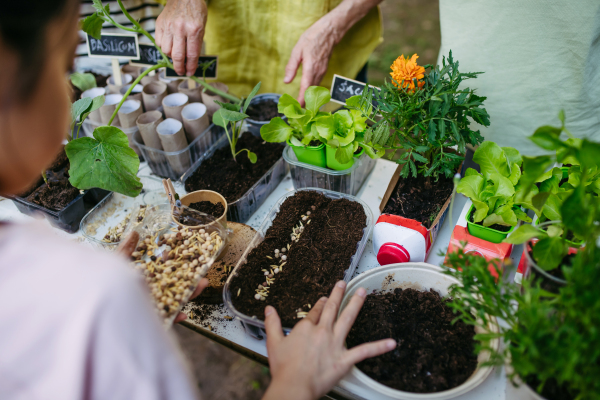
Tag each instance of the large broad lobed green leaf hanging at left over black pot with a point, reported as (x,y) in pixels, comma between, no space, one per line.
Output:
(105,161)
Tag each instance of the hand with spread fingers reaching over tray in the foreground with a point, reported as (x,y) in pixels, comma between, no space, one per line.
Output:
(312,358)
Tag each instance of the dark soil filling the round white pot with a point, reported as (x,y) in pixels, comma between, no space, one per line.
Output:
(432,353)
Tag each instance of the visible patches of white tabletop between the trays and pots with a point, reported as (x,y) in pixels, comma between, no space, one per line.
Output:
(494,387)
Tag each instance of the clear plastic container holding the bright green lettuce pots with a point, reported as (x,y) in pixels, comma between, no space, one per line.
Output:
(347,181)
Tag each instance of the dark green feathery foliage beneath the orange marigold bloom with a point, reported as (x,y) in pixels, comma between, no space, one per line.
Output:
(426,120)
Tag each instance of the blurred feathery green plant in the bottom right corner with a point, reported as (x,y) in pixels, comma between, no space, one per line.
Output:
(550,339)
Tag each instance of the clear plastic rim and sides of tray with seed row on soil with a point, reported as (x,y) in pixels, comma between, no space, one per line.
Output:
(253,325)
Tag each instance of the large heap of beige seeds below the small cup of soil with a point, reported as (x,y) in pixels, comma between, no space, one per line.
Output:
(173,264)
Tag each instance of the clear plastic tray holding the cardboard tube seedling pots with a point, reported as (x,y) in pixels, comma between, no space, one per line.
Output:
(158,159)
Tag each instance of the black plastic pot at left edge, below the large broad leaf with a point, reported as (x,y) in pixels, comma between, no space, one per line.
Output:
(68,218)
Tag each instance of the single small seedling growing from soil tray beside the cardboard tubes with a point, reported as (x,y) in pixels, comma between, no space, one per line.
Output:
(228,115)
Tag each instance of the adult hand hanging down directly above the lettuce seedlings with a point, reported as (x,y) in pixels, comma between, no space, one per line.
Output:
(312,50)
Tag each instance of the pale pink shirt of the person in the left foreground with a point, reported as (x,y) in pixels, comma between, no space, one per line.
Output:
(78,324)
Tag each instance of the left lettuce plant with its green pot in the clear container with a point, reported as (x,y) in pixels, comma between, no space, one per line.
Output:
(300,132)
